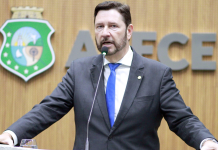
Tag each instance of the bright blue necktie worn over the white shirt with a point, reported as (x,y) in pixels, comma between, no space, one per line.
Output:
(110,92)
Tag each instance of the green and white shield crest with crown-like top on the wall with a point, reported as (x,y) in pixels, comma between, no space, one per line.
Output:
(26,50)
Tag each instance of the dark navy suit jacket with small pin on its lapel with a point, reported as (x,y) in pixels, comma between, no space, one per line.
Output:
(146,101)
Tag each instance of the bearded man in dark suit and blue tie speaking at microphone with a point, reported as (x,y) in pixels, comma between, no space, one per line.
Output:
(144,94)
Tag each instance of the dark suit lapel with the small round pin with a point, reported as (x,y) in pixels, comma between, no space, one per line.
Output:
(134,81)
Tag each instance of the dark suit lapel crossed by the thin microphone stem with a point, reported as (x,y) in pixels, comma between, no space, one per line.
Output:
(100,97)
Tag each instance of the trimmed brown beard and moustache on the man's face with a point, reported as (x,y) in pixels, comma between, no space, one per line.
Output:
(118,46)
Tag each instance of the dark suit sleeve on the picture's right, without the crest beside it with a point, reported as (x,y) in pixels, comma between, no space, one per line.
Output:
(178,116)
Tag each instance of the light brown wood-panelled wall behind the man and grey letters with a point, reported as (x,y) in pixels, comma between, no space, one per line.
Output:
(198,88)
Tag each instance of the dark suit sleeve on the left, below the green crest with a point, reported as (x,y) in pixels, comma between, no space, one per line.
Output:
(50,109)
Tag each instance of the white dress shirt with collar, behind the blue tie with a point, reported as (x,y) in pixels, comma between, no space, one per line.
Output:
(122,74)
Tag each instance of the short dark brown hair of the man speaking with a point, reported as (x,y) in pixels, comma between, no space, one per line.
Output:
(123,9)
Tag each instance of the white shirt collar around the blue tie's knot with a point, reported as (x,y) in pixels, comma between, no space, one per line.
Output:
(126,60)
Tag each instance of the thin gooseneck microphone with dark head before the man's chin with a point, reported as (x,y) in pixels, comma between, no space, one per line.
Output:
(104,51)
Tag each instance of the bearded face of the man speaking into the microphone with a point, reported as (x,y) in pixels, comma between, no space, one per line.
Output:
(110,31)
